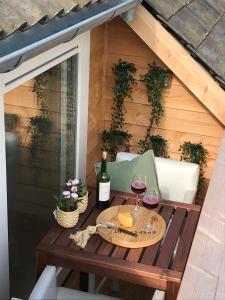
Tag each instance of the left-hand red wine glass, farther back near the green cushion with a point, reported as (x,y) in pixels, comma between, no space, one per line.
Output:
(138,186)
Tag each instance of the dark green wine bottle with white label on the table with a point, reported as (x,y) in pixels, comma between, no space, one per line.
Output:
(103,185)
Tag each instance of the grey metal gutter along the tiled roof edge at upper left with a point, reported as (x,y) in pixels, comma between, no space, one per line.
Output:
(21,46)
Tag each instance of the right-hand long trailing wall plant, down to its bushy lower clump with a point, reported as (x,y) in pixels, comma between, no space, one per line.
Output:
(155,80)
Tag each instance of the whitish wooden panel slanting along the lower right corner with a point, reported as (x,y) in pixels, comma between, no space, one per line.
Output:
(205,270)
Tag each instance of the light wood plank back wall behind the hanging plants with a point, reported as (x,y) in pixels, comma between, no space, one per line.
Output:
(185,118)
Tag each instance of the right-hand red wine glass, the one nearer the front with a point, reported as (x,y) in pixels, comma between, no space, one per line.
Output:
(151,199)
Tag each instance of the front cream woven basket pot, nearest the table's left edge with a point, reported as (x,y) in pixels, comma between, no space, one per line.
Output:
(67,219)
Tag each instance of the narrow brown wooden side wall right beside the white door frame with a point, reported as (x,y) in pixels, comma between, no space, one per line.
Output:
(96,110)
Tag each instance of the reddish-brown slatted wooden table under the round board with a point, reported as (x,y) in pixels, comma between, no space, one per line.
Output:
(157,266)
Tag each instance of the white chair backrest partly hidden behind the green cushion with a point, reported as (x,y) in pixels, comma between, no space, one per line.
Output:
(178,180)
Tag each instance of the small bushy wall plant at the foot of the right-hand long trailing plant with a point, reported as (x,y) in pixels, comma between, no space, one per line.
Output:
(157,143)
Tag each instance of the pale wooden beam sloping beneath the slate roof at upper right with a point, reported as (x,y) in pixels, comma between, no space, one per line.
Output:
(178,59)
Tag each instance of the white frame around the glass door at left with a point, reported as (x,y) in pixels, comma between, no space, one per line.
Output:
(79,46)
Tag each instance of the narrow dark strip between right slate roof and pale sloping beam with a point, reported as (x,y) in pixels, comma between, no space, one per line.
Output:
(191,50)
